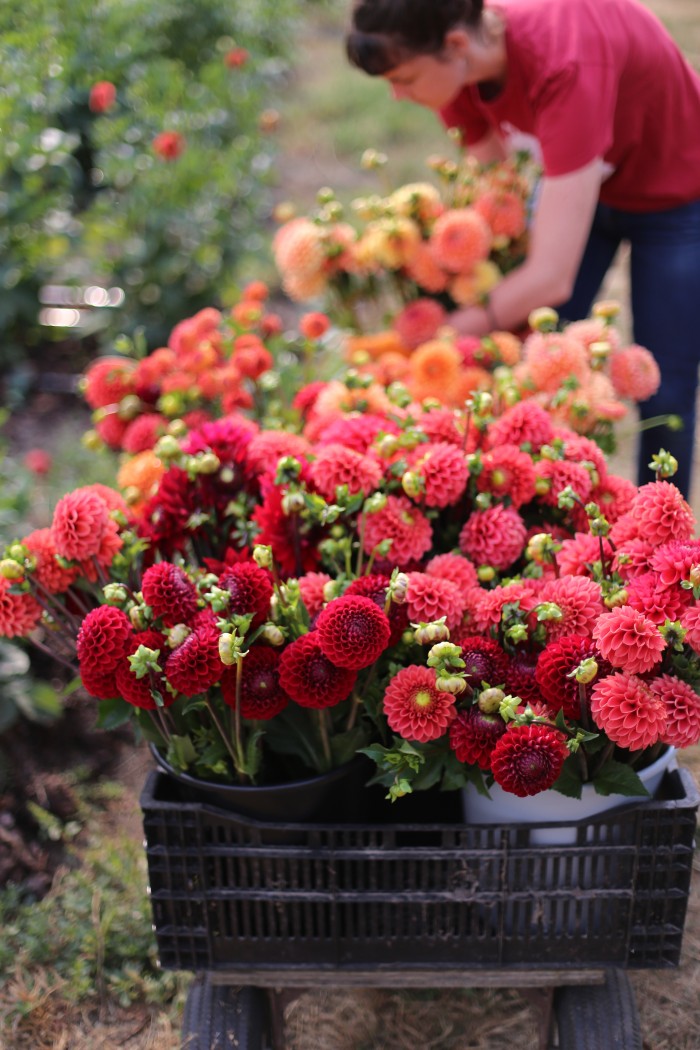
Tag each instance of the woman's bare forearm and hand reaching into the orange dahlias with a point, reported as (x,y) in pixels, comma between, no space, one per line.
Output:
(560,233)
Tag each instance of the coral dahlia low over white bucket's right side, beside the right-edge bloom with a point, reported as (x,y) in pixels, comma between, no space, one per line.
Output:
(627,710)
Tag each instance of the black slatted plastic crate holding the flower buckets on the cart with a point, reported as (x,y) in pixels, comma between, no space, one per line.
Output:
(229,893)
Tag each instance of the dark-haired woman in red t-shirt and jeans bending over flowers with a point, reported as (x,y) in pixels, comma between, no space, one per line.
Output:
(616,109)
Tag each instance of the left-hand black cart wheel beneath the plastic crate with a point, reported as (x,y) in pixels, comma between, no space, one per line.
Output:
(224,1018)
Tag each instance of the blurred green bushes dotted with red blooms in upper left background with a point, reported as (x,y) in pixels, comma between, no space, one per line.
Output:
(154,182)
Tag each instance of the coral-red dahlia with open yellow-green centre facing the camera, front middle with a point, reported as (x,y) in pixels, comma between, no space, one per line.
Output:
(414,706)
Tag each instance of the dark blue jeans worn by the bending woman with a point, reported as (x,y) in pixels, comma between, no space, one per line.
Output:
(666,310)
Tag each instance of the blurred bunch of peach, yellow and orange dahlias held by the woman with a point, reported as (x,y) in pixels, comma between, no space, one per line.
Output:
(451,240)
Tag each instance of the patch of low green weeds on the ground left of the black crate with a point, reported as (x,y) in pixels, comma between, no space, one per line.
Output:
(92,935)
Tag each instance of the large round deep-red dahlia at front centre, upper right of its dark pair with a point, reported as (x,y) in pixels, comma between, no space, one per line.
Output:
(353,632)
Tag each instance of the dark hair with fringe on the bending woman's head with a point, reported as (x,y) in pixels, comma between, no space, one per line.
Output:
(386,33)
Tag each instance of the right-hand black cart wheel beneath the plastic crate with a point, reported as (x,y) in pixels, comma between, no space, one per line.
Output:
(599,1017)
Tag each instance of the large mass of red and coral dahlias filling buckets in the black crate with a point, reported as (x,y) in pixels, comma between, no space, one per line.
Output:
(466,596)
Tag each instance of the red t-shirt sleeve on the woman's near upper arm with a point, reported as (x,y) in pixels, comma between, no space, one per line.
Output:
(575,117)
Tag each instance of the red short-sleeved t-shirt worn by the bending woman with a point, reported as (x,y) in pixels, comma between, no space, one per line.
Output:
(597,78)
